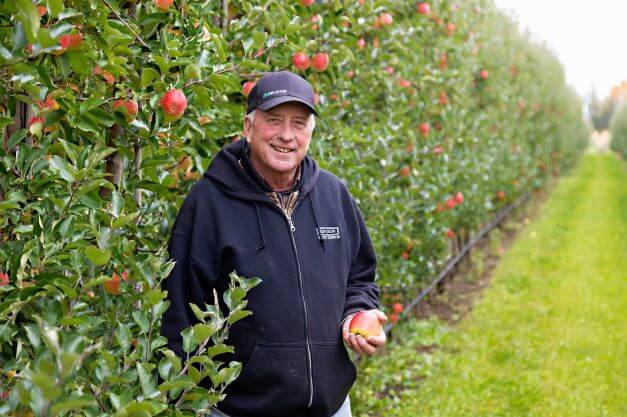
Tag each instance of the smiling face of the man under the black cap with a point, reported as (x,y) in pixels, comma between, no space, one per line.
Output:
(278,138)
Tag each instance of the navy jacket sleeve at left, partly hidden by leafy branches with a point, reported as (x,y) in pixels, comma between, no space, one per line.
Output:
(189,280)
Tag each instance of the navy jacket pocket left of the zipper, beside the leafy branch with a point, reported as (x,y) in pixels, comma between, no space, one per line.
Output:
(273,381)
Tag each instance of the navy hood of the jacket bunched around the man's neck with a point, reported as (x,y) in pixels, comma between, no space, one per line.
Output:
(228,170)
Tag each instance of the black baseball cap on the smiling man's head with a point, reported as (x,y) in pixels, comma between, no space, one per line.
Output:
(276,88)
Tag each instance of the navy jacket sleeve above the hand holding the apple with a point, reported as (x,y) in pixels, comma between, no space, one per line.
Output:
(361,292)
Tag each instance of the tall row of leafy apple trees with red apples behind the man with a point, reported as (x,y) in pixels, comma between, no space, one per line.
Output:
(413,110)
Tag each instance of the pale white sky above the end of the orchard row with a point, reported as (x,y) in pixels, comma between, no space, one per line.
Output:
(589,38)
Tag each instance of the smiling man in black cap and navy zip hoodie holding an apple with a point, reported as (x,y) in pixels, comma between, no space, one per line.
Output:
(265,209)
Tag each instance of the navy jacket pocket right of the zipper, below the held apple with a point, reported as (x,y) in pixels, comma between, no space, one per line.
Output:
(334,375)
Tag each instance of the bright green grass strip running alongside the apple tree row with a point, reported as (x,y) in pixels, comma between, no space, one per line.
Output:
(548,338)
